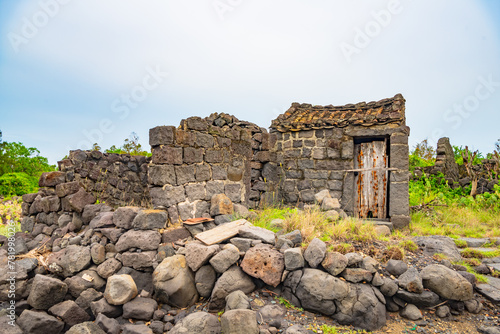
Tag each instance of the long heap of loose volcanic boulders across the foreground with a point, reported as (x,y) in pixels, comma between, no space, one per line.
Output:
(130,265)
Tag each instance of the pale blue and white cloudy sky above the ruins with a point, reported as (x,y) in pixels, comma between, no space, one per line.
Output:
(76,72)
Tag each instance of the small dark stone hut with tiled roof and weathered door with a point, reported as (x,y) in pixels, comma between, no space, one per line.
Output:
(357,151)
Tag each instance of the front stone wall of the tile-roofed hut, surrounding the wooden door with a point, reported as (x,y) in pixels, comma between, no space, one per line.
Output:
(313,160)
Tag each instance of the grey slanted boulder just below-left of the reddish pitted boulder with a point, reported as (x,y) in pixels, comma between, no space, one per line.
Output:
(232,280)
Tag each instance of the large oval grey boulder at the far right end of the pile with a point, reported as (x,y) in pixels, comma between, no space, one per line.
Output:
(446,283)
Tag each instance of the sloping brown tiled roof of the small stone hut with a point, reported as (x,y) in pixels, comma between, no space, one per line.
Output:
(306,116)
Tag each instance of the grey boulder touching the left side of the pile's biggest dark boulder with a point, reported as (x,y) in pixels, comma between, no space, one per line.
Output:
(318,291)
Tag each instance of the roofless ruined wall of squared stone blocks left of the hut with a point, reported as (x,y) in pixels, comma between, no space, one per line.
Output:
(204,157)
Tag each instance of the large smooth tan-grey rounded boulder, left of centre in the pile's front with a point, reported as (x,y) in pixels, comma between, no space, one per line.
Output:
(174,282)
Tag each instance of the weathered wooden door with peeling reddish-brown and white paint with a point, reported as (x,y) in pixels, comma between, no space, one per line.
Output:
(371,165)
